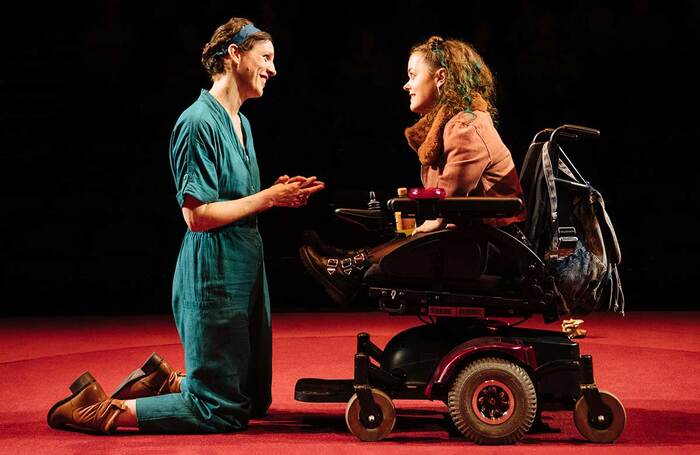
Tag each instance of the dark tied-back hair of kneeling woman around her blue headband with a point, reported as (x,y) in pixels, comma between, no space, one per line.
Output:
(213,59)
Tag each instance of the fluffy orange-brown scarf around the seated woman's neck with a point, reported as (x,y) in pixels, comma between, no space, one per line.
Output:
(426,138)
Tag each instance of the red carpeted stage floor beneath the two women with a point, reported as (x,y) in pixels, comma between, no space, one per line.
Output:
(650,360)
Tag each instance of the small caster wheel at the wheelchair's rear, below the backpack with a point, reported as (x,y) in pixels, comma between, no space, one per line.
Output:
(603,428)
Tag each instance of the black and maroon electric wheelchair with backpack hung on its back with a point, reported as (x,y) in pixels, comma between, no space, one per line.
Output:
(495,378)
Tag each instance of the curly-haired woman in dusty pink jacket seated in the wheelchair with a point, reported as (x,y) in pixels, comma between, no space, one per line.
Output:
(457,145)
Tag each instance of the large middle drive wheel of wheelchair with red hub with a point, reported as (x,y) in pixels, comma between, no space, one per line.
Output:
(493,401)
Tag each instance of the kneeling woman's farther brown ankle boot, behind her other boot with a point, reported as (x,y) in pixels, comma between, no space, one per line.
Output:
(155,377)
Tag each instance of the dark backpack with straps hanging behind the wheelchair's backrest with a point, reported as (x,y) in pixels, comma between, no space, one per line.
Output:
(569,227)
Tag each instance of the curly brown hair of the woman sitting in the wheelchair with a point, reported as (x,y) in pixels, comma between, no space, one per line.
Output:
(469,84)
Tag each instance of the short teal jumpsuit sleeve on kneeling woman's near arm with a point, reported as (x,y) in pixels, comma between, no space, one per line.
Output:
(194,163)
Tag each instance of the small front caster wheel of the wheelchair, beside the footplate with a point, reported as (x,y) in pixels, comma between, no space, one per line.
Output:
(375,427)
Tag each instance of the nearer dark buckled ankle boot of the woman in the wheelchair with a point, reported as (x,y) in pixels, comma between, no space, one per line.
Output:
(341,277)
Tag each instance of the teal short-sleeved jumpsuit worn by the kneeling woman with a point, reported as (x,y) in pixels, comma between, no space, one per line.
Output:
(220,298)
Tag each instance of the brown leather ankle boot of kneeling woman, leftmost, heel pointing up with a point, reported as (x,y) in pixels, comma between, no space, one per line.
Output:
(87,409)
